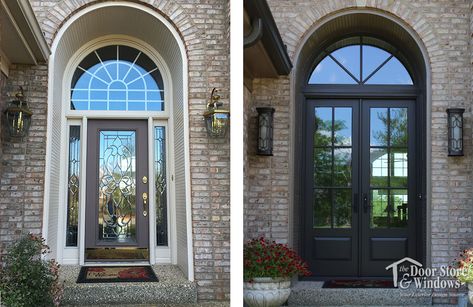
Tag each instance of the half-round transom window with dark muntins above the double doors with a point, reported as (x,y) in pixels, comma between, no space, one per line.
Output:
(360,60)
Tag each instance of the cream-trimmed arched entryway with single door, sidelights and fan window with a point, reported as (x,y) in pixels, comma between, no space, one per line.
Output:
(117,174)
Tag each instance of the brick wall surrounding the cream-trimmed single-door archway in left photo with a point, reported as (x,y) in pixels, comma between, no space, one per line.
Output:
(204,26)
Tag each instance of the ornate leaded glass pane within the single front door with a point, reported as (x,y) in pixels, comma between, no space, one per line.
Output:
(117,186)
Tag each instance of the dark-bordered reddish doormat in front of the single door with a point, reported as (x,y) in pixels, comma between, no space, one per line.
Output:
(98,274)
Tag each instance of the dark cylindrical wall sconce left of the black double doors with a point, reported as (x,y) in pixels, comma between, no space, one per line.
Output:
(265,131)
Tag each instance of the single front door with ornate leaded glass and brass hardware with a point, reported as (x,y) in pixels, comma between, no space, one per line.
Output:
(117,190)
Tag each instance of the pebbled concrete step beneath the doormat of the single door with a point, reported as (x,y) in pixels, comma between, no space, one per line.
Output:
(172,288)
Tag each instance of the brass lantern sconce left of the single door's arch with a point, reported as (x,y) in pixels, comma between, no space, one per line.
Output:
(18,116)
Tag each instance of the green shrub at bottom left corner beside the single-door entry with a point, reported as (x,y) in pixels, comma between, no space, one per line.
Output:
(26,279)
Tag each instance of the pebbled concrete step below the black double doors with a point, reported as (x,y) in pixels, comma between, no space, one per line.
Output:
(311,293)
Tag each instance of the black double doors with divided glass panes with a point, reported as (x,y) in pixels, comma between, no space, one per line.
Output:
(360,187)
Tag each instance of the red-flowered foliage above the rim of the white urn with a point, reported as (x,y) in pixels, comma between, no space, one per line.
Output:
(270,259)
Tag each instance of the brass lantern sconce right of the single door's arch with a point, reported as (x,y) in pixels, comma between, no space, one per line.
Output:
(217,120)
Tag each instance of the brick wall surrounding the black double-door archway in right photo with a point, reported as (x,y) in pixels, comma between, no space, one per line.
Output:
(445,28)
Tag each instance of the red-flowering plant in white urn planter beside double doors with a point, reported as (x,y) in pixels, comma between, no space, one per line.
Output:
(268,269)
